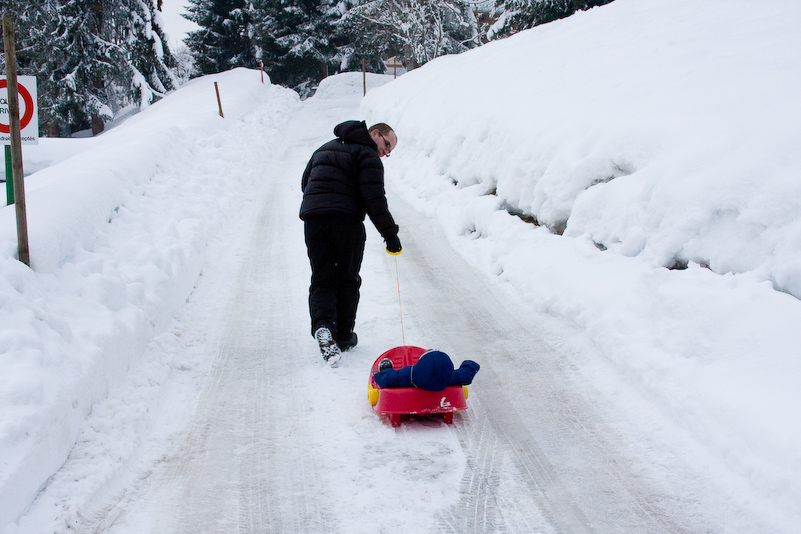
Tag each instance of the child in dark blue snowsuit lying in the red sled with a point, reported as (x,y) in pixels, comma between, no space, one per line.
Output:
(433,372)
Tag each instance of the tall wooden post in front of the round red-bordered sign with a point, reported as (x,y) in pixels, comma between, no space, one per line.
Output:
(16,141)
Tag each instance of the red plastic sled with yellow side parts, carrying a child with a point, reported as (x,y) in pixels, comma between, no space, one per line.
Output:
(404,401)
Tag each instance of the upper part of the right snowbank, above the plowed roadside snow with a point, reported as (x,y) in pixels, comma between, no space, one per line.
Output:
(659,129)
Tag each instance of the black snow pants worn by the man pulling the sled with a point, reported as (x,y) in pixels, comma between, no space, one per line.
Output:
(336,247)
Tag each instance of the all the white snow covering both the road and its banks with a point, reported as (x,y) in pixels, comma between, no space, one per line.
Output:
(612,231)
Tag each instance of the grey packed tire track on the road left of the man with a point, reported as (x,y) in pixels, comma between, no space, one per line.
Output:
(277,487)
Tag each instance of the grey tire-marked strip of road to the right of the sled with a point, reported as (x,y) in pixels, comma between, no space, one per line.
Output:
(538,457)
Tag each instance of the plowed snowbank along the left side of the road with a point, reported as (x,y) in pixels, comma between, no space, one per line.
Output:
(117,238)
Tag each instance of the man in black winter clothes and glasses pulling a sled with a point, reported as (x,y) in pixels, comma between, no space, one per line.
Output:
(343,182)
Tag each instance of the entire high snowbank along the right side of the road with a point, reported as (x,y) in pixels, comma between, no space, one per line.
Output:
(637,137)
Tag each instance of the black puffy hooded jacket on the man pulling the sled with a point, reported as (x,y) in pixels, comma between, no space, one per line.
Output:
(345,177)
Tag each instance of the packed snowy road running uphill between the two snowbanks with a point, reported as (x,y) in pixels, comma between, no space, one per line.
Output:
(264,452)
